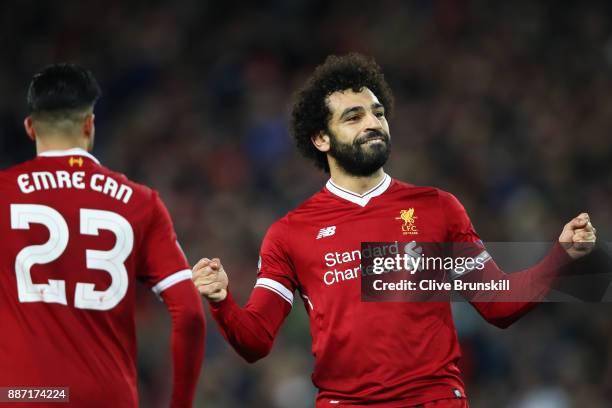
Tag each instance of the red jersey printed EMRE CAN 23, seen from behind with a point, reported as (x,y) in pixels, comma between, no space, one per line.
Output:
(75,237)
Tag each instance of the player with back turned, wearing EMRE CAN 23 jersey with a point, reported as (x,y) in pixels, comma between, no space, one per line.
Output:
(75,238)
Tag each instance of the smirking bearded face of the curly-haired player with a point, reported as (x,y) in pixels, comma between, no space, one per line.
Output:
(359,133)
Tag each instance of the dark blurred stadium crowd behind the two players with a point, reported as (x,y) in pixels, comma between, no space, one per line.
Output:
(505,104)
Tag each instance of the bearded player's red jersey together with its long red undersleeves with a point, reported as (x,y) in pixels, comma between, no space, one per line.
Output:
(386,354)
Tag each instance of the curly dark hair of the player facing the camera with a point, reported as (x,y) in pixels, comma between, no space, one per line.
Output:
(310,114)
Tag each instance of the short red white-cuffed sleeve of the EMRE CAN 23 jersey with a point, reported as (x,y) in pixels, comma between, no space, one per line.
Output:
(162,261)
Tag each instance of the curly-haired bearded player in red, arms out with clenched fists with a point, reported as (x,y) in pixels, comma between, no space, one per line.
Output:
(383,354)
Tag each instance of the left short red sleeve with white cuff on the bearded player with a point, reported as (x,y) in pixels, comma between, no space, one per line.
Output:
(275,268)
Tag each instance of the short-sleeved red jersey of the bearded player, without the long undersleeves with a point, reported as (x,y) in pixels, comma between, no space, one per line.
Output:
(367,351)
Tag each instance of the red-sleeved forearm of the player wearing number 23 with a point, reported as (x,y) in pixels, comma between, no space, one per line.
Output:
(187,341)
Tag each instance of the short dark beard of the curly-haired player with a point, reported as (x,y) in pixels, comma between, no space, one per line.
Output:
(358,160)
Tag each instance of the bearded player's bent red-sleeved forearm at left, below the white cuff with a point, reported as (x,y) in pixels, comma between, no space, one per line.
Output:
(251,330)
